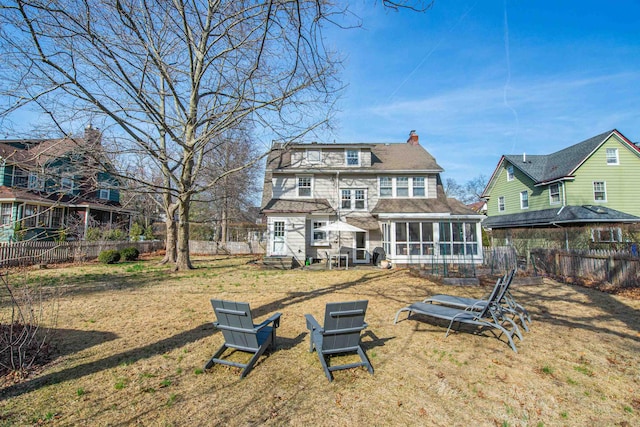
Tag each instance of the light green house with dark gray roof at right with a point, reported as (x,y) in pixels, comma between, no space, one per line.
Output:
(592,182)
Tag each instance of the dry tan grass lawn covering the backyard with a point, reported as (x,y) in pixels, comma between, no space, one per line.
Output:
(132,340)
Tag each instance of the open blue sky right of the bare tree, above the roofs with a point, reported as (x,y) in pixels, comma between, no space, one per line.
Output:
(478,79)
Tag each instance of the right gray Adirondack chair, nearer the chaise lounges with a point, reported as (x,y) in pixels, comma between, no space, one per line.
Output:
(343,322)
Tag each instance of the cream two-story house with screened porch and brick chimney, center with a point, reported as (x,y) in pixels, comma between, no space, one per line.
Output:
(392,193)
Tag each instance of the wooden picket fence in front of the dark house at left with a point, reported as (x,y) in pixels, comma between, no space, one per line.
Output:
(38,252)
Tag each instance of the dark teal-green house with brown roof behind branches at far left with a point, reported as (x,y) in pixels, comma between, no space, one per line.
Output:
(50,188)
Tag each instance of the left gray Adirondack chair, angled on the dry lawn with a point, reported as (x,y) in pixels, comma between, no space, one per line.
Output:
(239,332)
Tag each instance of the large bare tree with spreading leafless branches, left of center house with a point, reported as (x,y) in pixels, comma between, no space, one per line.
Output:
(168,78)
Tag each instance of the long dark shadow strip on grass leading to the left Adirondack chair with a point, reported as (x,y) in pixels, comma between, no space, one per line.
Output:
(130,356)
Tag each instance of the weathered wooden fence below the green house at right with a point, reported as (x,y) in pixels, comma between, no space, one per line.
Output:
(620,269)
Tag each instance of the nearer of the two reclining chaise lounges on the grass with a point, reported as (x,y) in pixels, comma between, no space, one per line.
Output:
(491,316)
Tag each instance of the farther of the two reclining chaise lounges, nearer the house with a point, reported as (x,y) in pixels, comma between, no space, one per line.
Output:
(504,298)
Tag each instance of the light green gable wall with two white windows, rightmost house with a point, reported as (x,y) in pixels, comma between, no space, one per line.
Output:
(622,184)
